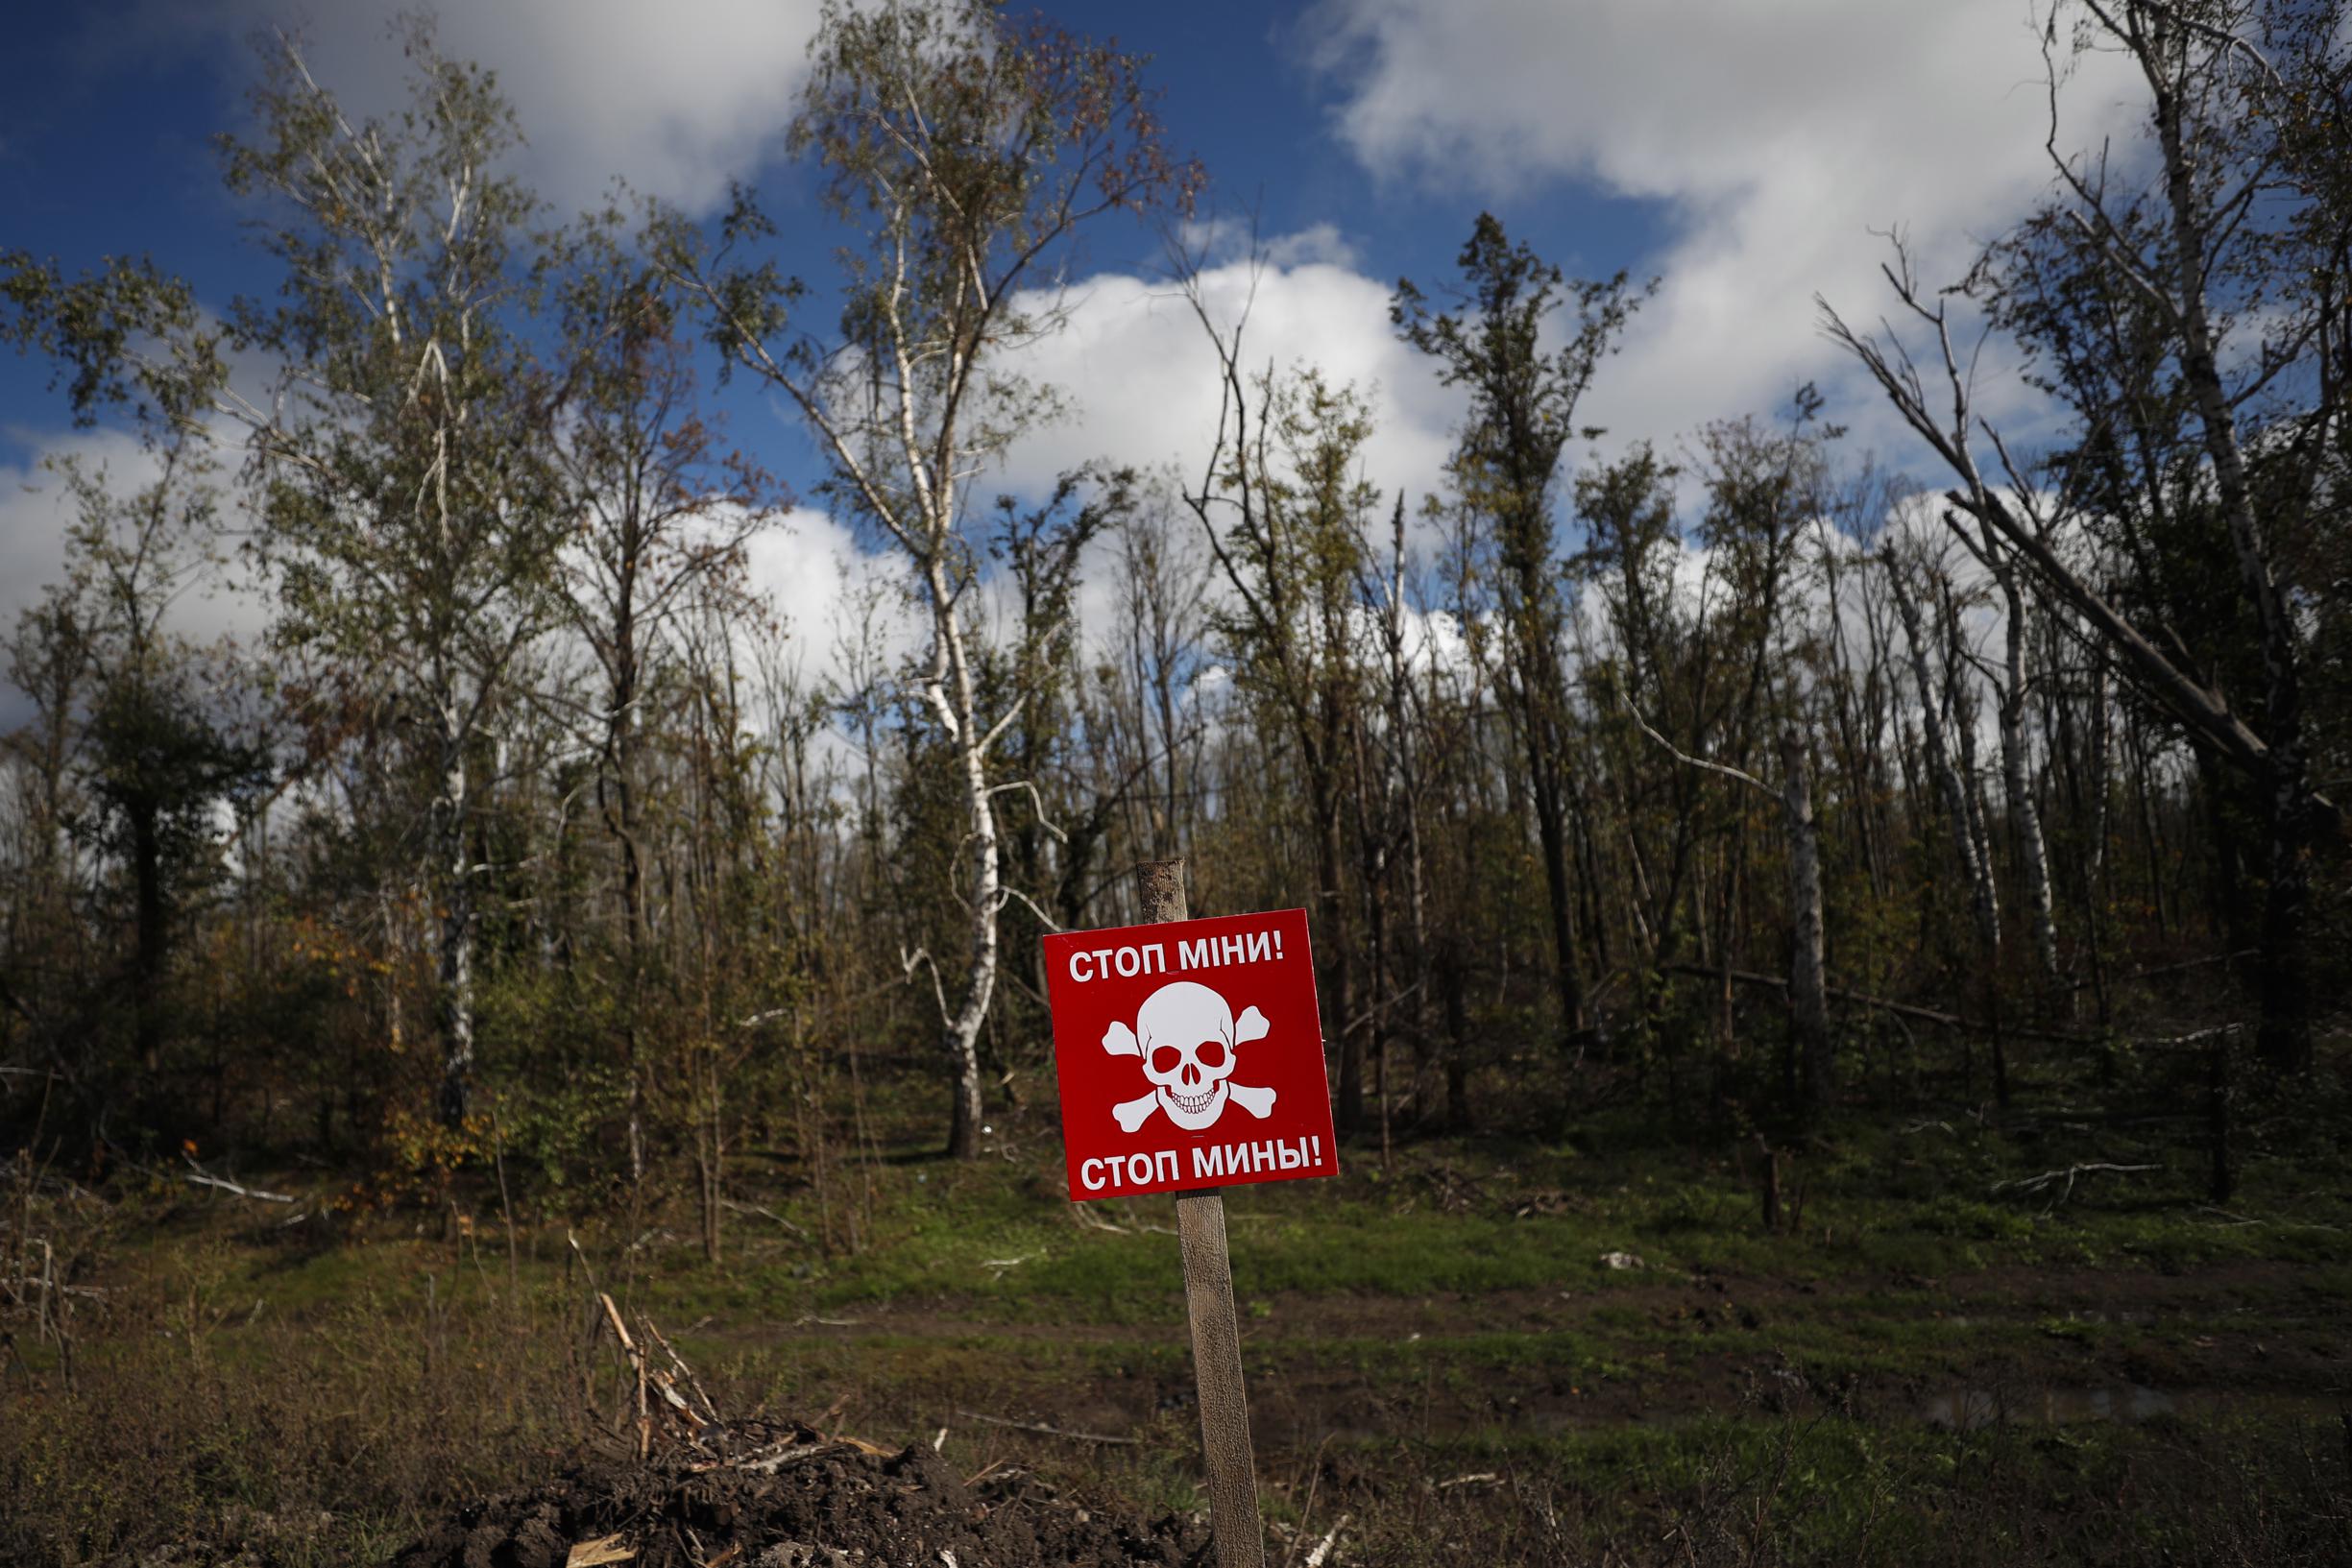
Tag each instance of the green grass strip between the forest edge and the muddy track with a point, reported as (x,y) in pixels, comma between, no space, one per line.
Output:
(1001,1242)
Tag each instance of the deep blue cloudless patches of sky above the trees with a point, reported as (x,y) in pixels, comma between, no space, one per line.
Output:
(107,149)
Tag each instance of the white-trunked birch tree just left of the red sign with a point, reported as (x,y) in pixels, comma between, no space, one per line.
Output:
(965,156)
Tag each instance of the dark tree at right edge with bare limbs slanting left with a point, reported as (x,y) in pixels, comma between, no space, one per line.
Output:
(2224,248)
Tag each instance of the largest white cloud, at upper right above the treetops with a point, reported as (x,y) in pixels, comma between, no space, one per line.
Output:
(1779,138)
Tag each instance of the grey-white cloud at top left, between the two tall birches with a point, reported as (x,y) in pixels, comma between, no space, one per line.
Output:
(674,98)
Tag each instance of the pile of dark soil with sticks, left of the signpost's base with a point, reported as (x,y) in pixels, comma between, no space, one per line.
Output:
(782,1496)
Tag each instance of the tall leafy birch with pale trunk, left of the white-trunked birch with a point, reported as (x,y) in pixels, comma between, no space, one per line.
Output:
(410,514)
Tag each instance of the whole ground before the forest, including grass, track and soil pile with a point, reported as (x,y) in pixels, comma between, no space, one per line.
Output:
(2123,1381)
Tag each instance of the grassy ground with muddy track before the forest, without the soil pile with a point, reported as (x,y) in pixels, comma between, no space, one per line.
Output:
(1920,1365)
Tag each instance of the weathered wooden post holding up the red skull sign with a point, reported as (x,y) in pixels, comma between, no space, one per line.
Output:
(1217,1332)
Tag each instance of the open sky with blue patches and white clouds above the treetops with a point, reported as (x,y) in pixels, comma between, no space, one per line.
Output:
(1739,152)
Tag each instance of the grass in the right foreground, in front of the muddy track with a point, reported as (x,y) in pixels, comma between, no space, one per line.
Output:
(1746,1489)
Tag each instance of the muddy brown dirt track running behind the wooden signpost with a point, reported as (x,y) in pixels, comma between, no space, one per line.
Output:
(2080,1346)
